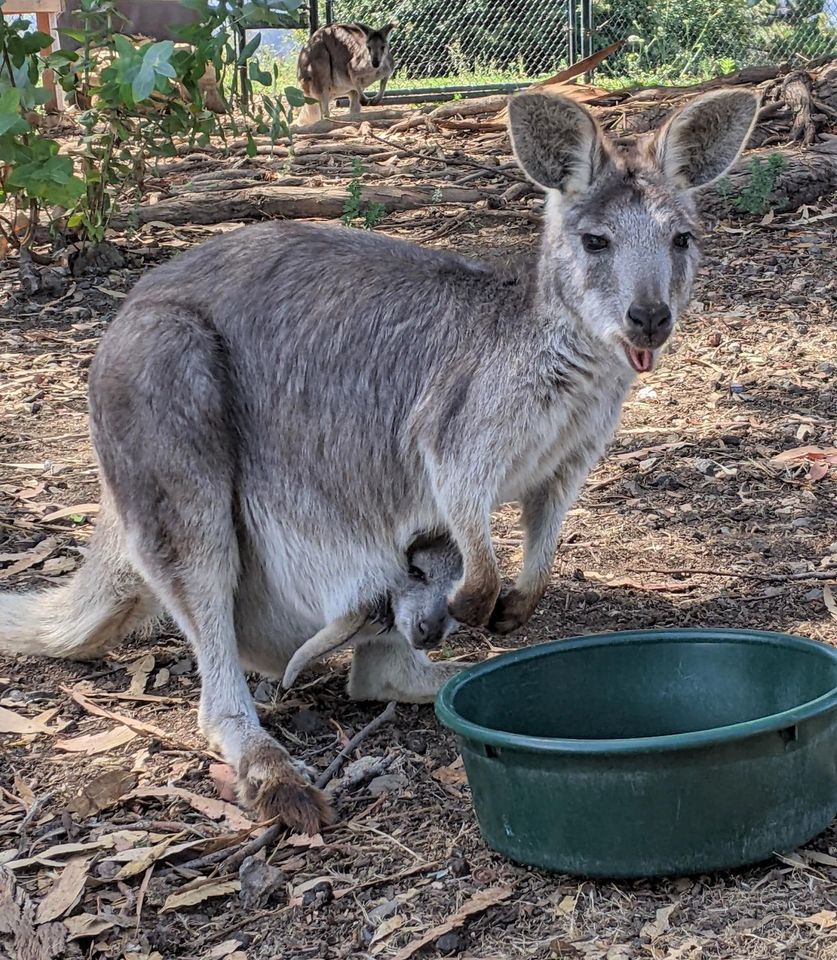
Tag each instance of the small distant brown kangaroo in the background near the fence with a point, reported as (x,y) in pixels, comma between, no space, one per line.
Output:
(340,59)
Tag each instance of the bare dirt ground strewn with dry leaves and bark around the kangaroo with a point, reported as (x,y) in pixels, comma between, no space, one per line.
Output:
(690,520)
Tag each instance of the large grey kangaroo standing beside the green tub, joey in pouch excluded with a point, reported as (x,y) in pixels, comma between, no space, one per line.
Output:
(268,443)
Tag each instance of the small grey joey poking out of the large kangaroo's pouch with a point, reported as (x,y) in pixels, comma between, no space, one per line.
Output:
(418,607)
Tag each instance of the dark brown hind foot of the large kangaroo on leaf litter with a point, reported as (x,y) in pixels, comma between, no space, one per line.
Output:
(270,784)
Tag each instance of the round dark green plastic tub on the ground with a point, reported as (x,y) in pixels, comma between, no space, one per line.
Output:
(650,753)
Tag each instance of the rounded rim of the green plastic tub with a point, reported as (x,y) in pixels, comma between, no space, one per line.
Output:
(710,736)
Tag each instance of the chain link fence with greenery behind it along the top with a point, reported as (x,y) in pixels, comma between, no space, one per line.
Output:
(473,46)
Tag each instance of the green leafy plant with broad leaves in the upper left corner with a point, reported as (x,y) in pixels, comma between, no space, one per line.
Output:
(139,101)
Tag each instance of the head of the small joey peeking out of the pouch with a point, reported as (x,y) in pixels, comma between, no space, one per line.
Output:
(420,605)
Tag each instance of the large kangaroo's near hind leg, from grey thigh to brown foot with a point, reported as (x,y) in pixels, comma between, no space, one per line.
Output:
(165,430)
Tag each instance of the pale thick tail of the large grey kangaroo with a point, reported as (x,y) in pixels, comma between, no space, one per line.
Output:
(101,604)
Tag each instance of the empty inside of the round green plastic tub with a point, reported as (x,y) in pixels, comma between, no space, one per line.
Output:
(644,689)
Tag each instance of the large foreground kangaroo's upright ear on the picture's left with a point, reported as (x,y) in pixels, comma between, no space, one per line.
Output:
(557,143)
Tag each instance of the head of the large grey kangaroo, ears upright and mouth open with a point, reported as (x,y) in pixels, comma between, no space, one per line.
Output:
(621,242)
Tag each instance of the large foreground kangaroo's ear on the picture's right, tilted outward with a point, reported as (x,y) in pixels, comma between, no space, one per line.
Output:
(703,140)
